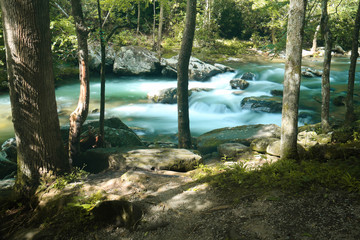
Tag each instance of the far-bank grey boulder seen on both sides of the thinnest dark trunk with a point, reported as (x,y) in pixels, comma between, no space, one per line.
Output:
(95,57)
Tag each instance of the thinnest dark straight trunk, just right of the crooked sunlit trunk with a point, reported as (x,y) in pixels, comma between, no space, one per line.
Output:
(101,139)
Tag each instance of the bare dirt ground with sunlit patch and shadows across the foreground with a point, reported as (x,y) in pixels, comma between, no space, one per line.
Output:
(174,206)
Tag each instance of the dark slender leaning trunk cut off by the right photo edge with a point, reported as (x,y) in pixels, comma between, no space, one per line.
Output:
(350,116)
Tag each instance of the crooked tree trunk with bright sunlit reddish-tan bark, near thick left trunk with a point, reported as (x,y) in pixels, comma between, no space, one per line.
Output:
(78,117)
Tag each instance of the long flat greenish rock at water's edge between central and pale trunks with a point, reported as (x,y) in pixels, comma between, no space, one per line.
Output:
(208,142)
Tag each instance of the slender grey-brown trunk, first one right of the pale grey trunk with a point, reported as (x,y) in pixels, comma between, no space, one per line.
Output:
(325,86)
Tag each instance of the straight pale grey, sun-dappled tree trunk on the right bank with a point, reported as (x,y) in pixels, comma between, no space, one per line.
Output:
(292,78)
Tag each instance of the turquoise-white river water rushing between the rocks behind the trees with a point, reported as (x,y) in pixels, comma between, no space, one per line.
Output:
(126,98)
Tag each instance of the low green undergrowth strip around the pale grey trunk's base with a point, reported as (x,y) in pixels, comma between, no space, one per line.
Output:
(287,175)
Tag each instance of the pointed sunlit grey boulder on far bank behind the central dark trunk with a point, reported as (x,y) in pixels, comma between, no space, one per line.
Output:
(198,70)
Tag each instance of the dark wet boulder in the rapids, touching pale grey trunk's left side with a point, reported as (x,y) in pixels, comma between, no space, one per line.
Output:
(263,104)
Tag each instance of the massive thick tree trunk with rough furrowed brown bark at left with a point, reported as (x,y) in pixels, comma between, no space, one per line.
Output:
(32,92)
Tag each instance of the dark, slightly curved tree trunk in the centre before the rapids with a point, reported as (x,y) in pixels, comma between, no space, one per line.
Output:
(183,76)
